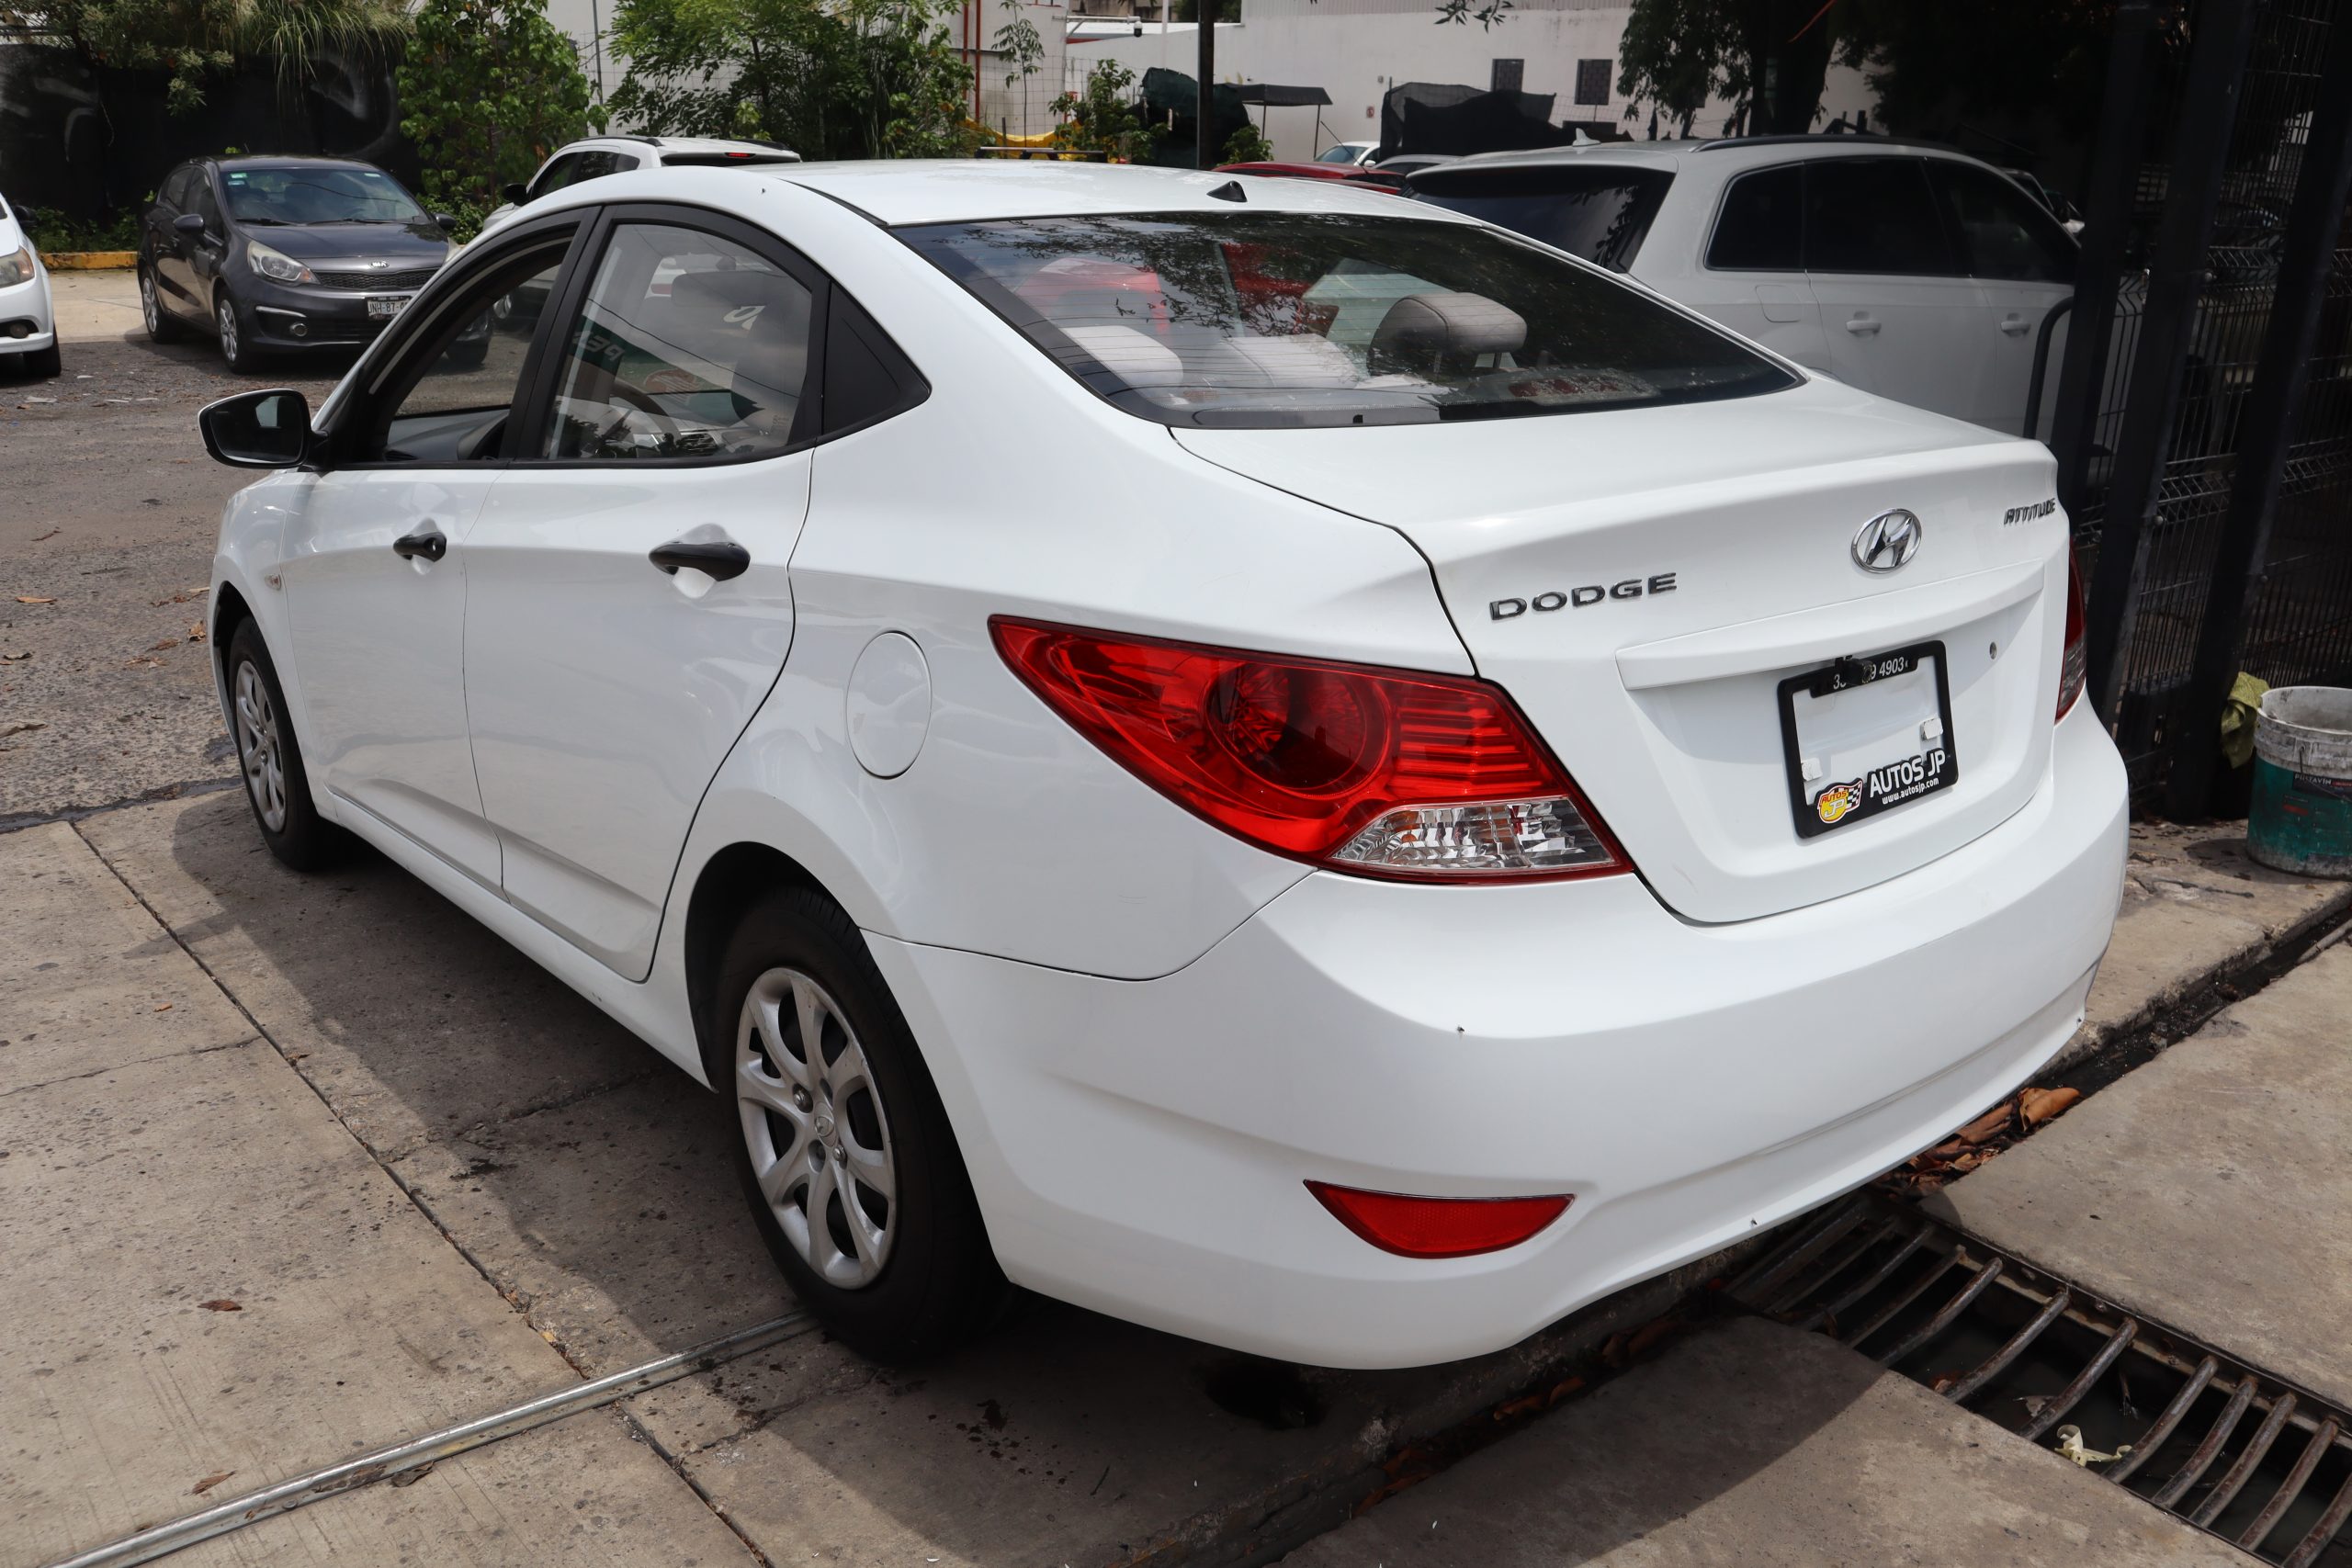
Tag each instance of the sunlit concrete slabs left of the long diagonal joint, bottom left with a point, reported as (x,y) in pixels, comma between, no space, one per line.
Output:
(211,1287)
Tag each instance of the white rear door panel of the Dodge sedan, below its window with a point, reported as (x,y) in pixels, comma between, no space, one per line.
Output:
(601,692)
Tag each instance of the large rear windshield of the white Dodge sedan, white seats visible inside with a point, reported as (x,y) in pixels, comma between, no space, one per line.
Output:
(1278,319)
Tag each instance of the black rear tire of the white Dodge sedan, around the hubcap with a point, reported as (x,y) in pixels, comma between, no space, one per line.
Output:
(937,1285)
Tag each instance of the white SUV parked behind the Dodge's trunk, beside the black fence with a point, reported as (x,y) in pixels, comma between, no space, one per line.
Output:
(1904,269)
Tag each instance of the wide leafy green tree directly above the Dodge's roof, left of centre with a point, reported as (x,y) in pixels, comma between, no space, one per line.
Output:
(827,79)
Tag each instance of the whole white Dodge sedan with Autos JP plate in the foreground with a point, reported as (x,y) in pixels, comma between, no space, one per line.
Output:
(1274,763)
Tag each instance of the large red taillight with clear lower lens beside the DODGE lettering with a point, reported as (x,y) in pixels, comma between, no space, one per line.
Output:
(1365,770)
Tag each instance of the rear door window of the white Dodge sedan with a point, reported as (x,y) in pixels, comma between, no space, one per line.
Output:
(688,347)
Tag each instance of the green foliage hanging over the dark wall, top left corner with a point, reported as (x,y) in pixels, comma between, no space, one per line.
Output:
(194,41)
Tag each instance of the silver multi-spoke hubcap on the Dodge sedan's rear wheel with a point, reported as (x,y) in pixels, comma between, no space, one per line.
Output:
(815,1130)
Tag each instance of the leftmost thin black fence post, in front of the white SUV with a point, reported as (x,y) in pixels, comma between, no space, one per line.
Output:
(2116,175)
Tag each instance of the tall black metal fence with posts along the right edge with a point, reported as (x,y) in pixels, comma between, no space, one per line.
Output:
(2205,410)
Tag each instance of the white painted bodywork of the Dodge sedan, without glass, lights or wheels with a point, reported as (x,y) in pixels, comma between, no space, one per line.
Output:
(1060,934)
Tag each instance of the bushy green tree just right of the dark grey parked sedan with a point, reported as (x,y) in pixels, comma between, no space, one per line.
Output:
(488,91)
